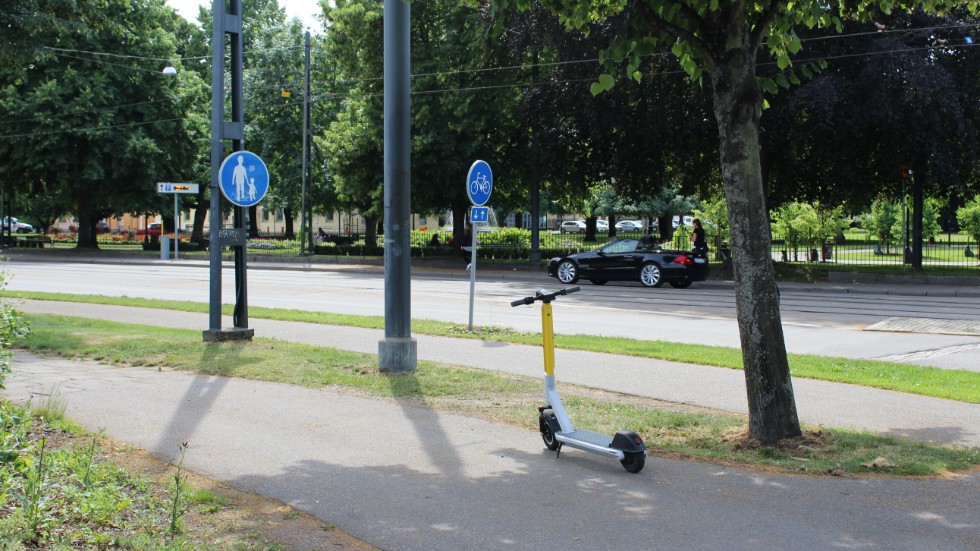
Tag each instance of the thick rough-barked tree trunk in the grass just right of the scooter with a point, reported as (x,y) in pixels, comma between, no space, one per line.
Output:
(738,105)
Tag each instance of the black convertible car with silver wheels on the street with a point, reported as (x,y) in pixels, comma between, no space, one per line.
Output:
(632,260)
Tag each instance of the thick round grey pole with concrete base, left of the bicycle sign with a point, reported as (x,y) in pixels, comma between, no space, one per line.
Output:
(398,351)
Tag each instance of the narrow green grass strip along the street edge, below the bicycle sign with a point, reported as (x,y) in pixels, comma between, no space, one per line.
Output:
(951,384)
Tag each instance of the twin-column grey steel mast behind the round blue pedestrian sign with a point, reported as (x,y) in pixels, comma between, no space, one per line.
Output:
(226,23)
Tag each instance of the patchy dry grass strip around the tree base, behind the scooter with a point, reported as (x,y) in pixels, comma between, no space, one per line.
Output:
(499,397)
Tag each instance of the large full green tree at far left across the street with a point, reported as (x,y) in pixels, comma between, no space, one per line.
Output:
(93,134)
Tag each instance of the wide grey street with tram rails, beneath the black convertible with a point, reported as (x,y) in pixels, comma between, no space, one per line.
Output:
(817,319)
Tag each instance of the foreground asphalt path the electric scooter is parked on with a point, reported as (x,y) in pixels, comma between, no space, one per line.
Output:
(404,477)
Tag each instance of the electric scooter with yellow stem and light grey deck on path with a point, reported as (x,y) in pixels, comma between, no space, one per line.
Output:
(556,428)
